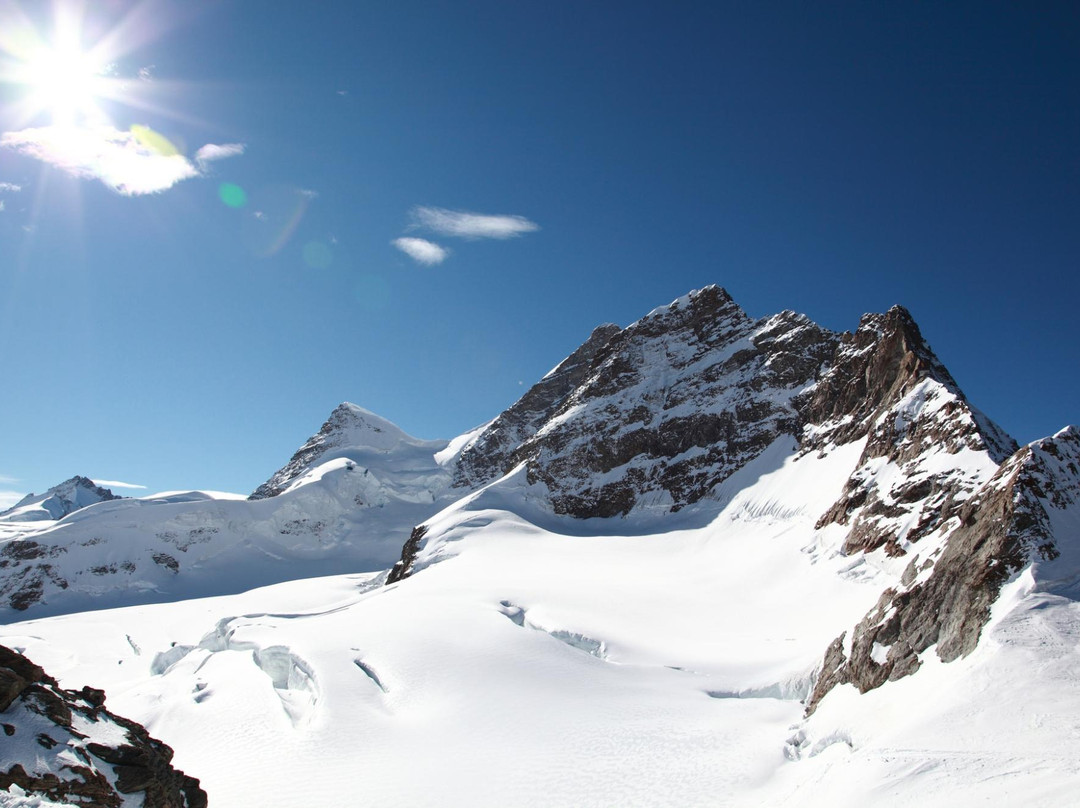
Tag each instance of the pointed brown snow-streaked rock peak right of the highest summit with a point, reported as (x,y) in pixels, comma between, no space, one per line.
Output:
(885,385)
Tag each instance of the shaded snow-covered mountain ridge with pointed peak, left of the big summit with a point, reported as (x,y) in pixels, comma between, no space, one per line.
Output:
(346,503)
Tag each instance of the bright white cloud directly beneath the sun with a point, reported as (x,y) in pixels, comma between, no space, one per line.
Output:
(126,161)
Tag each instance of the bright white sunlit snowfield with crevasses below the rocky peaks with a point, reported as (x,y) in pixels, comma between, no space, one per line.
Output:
(523,665)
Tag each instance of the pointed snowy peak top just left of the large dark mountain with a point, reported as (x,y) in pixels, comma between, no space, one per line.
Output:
(349,429)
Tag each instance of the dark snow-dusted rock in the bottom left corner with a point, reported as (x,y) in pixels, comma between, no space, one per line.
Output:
(50,747)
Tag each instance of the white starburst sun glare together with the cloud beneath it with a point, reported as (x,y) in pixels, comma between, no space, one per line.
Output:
(65,87)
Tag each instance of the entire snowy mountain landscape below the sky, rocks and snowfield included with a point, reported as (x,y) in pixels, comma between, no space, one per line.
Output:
(707,561)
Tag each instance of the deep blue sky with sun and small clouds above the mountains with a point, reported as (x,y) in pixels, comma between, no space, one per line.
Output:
(199,244)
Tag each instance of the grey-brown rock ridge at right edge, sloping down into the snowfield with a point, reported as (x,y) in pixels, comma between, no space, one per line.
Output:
(1028,515)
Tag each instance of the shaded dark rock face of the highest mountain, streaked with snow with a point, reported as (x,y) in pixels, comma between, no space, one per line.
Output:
(663,411)
